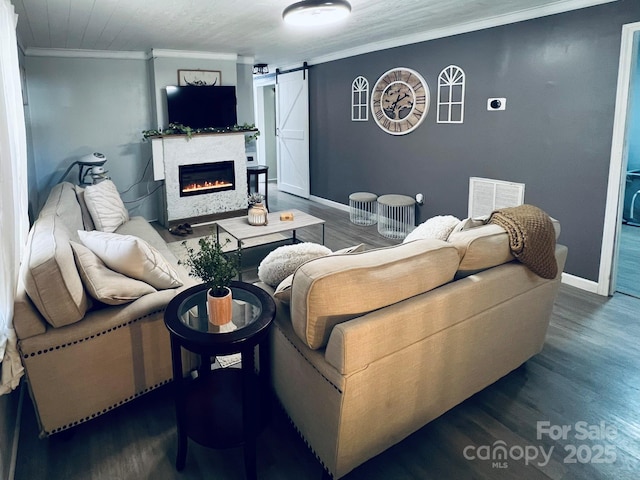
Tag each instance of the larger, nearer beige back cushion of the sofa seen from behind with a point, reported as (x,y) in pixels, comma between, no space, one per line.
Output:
(336,288)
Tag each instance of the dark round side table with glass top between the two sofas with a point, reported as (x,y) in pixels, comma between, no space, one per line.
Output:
(221,407)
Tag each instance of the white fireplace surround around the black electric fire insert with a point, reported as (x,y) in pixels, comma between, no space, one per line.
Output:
(171,151)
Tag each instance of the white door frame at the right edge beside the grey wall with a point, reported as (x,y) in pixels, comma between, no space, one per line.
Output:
(617,166)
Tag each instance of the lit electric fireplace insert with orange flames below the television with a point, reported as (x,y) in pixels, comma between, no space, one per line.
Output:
(203,178)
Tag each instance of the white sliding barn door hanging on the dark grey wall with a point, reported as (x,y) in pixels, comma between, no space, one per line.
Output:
(292,122)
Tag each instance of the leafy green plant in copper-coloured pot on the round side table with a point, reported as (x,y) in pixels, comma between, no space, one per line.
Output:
(216,269)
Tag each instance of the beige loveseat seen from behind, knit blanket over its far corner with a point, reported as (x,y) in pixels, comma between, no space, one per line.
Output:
(372,346)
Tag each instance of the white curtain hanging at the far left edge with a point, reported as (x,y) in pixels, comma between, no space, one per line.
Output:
(14,220)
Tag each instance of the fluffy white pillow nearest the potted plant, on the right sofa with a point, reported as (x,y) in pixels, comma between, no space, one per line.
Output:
(283,261)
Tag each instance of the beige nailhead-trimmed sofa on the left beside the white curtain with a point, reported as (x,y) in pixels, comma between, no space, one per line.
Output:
(82,357)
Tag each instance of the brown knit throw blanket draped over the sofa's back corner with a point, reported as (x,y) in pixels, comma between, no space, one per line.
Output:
(532,238)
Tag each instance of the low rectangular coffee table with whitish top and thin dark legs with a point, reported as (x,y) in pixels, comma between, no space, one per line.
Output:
(240,229)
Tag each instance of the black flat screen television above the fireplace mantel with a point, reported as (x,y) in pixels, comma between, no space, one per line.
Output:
(202,107)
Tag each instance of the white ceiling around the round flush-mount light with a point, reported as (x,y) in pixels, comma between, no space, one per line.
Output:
(254,28)
